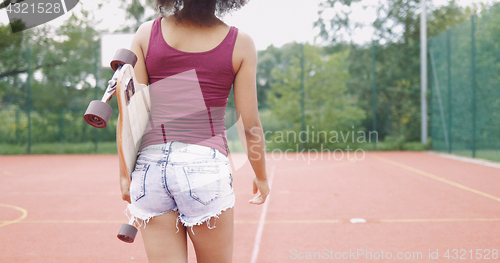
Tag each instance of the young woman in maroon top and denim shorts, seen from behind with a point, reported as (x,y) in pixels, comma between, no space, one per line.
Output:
(181,184)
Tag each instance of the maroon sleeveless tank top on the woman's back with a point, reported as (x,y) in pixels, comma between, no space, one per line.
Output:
(189,92)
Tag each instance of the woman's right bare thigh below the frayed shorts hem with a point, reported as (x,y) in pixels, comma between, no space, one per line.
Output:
(214,245)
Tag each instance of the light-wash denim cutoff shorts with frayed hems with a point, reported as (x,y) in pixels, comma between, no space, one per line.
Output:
(191,179)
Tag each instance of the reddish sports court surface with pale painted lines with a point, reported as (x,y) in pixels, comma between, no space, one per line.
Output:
(381,207)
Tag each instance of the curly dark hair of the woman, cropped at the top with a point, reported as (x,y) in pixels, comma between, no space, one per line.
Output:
(198,11)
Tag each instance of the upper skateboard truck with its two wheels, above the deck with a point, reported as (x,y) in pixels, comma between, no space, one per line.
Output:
(99,112)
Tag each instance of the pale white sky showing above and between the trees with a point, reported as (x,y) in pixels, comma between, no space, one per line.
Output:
(269,22)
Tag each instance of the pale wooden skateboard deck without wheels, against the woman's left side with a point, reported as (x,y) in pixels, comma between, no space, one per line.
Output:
(134,106)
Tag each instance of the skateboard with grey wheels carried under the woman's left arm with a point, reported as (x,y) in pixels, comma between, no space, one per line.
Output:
(134,106)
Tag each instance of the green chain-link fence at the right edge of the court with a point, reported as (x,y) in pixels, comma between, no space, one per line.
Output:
(465,94)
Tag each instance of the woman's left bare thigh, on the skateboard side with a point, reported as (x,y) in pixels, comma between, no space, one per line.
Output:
(162,241)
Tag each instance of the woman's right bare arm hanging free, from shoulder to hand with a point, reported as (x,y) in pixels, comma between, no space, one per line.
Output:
(245,101)
